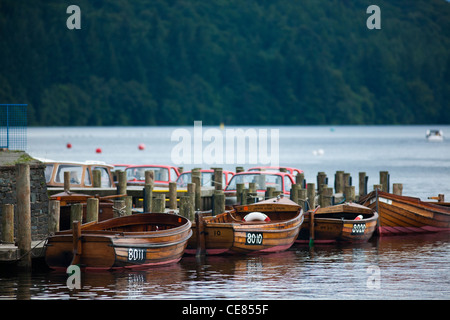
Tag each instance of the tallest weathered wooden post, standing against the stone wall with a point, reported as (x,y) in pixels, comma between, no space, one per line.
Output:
(23,214)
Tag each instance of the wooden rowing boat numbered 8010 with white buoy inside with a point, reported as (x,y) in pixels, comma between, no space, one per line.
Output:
(231,232)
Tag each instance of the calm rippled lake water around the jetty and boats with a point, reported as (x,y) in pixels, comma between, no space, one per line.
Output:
(412,267)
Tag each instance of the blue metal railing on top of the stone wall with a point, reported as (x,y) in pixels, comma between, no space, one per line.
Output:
(13,126)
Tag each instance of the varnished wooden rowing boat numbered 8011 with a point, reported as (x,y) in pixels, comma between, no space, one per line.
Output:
(134,241)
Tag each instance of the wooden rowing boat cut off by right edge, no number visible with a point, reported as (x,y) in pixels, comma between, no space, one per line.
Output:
(405,215)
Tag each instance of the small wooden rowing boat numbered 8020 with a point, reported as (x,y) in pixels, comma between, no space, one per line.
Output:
(348,222)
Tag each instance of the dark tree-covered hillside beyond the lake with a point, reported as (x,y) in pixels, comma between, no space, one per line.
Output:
(241,62)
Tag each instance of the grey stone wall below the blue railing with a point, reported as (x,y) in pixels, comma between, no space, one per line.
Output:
(38,193)
